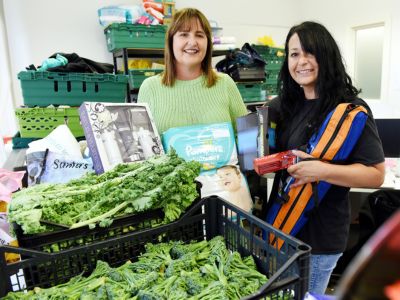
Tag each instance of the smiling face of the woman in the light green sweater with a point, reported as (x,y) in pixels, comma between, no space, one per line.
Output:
(190,48)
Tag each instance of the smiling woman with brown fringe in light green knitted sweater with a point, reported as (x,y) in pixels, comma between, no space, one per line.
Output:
(189,91)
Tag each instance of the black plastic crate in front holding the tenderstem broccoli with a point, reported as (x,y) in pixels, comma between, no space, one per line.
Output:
(287,268)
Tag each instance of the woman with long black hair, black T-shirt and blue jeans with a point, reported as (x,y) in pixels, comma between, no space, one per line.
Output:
(312,82)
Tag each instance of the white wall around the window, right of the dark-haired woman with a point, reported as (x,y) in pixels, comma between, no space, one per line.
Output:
(342,15)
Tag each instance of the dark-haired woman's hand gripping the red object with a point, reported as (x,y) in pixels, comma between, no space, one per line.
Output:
(305,171)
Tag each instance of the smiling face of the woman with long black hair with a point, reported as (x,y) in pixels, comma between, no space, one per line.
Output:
(303,67)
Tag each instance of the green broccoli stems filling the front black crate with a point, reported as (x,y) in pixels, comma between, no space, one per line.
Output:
(199,270)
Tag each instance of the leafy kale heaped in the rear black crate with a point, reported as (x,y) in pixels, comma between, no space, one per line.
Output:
(166,182)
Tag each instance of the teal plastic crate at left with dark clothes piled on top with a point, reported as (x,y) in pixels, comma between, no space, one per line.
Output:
(46,88)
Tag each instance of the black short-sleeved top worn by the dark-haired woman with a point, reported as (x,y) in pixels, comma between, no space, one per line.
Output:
(327,230)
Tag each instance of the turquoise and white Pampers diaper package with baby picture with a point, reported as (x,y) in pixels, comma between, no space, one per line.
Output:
(213,145)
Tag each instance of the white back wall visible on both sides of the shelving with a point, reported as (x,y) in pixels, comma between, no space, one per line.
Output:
(37,29)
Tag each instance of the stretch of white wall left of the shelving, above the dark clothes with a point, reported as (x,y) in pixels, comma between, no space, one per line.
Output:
(37,29)
